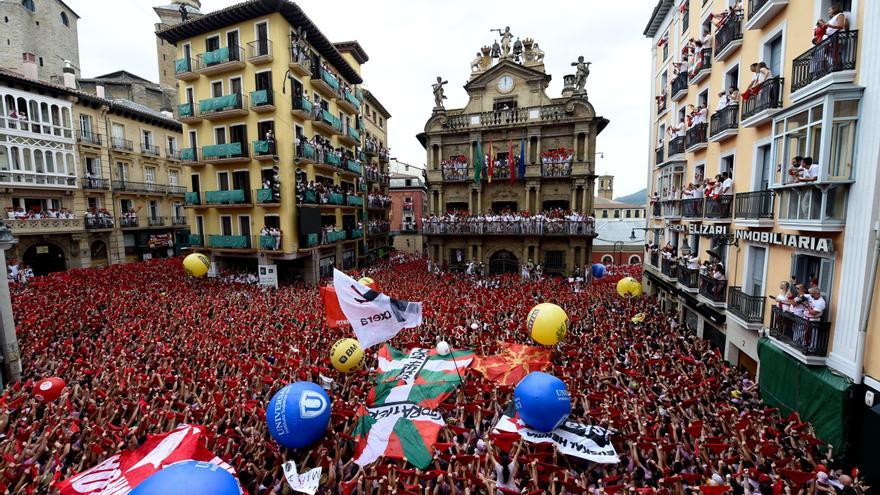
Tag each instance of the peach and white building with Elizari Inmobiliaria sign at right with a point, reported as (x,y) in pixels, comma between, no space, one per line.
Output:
(770,223)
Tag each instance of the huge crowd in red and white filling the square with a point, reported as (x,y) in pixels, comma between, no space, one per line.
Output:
(143,348)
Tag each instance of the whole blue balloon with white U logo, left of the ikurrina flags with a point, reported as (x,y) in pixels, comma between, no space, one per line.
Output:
(298,414)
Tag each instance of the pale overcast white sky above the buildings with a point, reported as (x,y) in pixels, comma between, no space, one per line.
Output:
(411,42)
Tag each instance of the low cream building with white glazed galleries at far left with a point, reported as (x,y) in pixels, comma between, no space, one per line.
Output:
(86,181)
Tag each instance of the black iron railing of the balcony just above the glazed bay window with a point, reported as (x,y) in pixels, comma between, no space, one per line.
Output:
(835,54)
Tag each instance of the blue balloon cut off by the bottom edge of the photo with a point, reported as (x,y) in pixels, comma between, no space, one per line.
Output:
(189,478)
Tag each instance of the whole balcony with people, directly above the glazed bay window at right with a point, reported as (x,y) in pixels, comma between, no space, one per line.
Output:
(832,61)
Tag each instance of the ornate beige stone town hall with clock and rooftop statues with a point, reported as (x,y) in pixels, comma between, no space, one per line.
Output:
(508,110)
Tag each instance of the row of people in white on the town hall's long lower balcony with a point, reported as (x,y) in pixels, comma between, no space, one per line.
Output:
(556,221)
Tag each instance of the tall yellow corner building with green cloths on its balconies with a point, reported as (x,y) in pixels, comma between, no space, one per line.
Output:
(271,122)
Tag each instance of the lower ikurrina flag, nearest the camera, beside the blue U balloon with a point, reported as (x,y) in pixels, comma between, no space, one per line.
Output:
(396,431)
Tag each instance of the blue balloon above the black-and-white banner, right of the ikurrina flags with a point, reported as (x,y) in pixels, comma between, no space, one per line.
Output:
(542,401)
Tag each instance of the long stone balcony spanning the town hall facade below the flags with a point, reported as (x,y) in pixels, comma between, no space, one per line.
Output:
(565,228)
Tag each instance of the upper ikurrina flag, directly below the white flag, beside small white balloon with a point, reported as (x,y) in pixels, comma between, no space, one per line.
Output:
(422,376)
